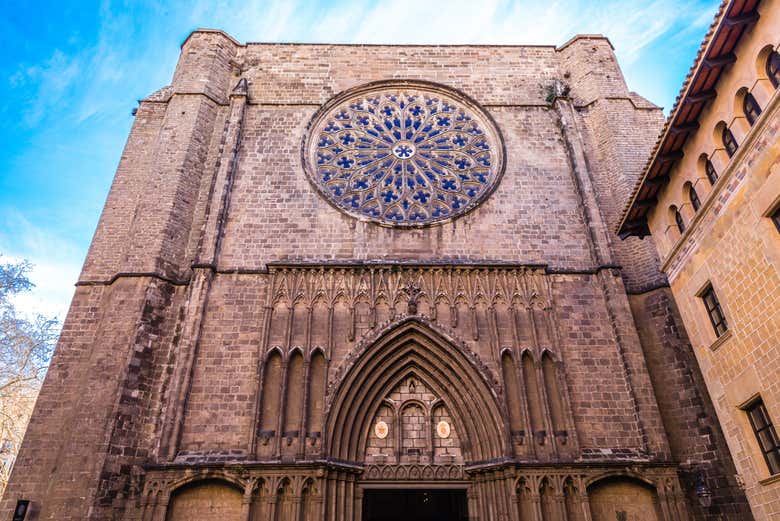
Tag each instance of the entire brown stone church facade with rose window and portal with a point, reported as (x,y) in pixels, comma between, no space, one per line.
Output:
(354,282)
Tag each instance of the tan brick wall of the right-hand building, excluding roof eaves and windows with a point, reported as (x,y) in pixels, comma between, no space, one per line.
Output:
(732,244)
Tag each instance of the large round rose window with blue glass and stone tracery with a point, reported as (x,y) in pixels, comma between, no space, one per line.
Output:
(405,156)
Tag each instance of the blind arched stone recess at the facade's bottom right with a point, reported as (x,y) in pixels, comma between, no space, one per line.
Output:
(623,498)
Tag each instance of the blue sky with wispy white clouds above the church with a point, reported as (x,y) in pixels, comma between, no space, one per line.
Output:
(72,72)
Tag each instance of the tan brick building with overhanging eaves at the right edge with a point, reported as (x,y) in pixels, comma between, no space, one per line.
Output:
(710,196)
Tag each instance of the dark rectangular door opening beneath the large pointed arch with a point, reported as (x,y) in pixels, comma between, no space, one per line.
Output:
(414,505)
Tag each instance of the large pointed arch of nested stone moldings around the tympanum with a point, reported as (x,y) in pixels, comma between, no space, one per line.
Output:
(414,348)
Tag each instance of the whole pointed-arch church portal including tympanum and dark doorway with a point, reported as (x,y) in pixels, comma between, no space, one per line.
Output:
(415,408)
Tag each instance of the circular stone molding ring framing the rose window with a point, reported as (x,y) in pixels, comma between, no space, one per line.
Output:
(491,128)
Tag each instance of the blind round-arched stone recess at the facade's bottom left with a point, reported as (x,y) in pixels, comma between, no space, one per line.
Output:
(207,500)
